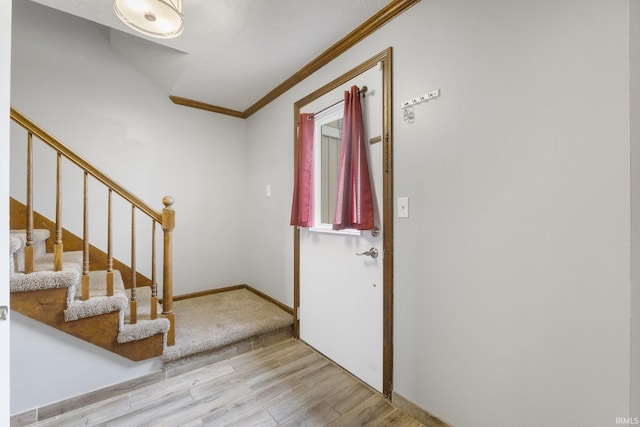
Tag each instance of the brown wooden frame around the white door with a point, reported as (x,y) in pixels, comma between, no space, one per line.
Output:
(385,59)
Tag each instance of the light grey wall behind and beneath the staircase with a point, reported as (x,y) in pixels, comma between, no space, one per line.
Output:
(68,78)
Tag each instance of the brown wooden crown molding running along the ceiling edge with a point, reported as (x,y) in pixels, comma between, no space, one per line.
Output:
(384,15)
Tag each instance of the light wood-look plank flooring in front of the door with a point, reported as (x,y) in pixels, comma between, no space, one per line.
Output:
(286,384)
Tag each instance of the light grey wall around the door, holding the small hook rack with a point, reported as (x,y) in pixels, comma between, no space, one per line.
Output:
(512,273)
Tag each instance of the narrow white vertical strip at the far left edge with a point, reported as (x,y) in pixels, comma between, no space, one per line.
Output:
(5,68)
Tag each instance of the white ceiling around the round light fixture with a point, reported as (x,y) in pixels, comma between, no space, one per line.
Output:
(232,52)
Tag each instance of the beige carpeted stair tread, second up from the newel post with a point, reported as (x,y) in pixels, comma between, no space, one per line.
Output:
(98,302)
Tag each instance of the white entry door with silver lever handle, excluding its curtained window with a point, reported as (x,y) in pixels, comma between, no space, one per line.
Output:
(341,293)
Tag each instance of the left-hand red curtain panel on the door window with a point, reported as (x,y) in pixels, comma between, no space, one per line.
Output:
(302,206)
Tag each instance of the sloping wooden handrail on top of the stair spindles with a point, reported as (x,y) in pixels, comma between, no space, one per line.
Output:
(54,143)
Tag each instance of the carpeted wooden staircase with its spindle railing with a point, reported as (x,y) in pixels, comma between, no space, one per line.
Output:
(53,273)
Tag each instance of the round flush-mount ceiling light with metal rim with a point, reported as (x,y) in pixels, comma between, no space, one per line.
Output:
(154,18)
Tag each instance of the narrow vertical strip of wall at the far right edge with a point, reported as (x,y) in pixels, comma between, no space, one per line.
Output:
(634,38)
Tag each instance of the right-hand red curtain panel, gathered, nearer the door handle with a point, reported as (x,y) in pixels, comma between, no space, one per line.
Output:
(354,207)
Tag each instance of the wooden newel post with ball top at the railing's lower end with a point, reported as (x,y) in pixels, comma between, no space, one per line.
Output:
(168,224)
